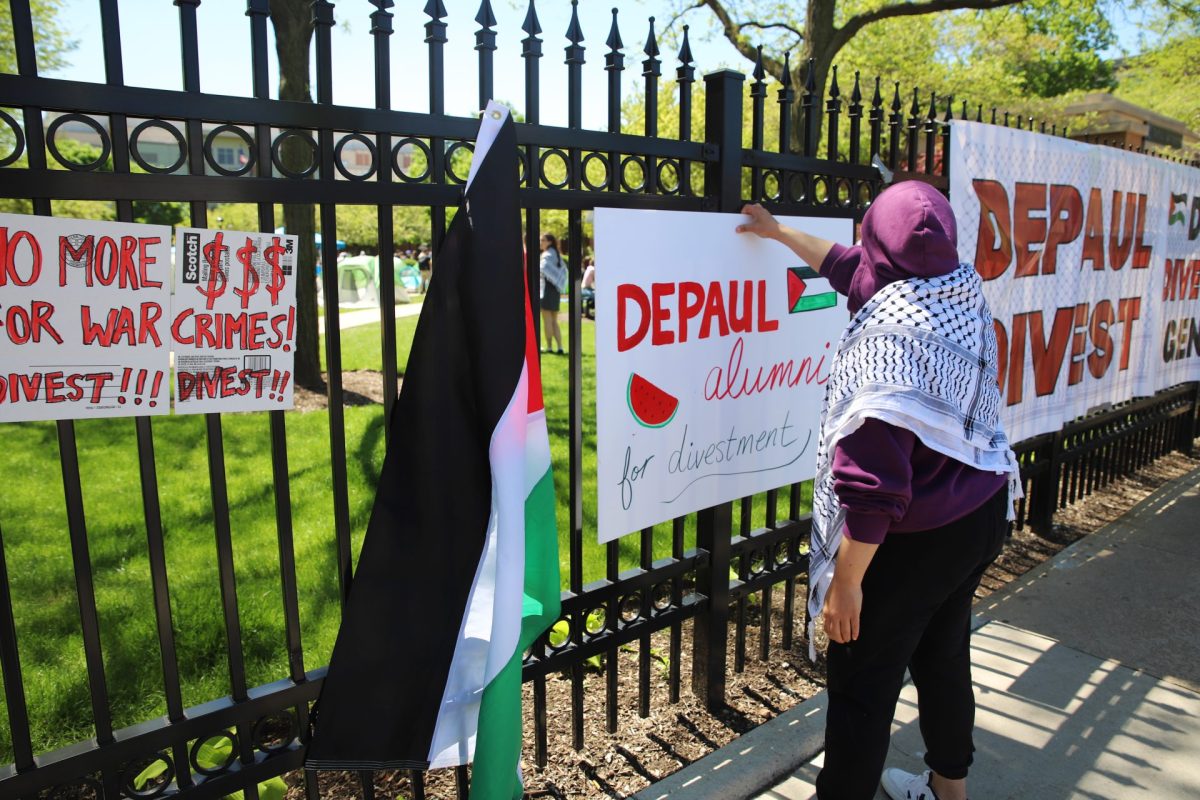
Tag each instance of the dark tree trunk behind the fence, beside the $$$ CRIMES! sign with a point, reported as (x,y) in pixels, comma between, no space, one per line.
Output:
(293,33)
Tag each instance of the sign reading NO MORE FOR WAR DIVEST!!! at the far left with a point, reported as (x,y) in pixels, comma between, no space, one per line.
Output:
(83,318)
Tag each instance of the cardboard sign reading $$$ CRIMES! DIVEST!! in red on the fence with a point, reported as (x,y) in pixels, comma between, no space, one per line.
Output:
(233,327)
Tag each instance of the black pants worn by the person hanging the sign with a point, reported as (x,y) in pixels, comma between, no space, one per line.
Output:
(917,597)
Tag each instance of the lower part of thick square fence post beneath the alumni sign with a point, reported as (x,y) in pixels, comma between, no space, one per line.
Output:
(711,634)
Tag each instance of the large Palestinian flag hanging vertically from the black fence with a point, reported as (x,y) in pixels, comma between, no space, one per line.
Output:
(459,570)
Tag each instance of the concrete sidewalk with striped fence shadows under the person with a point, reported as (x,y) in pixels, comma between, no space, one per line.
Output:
(1087,671)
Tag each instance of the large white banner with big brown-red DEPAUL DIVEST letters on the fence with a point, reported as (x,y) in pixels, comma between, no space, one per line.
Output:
(1091,264)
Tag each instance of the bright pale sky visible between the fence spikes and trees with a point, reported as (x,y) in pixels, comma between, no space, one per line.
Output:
(152,51)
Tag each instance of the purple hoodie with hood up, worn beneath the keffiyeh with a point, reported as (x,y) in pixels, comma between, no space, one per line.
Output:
(884,476)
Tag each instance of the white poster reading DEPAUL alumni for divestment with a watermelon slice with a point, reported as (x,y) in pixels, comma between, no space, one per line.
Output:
(712,354)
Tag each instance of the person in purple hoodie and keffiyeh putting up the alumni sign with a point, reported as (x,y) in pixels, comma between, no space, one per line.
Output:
(914,490)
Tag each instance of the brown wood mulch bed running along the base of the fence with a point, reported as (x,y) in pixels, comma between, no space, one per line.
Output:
(646,750)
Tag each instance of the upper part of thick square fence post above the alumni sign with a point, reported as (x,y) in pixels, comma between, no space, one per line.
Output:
(723,131)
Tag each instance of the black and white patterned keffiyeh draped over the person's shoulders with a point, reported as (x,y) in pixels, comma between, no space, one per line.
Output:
(920,356)
